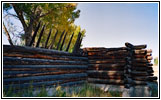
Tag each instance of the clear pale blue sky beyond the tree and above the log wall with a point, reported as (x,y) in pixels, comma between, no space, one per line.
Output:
(113,24)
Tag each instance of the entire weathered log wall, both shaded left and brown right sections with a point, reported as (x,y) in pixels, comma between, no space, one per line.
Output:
(128,66)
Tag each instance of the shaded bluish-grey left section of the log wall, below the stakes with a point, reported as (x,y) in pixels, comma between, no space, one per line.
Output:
(26,66)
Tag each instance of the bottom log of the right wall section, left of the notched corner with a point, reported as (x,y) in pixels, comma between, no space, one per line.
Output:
(105,81)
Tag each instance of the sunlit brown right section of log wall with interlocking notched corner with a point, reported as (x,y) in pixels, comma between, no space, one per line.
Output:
(126,66)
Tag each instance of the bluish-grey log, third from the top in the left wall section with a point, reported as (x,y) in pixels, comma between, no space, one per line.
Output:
(30,61)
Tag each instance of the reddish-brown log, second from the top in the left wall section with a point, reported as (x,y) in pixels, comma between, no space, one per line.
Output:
(42,56)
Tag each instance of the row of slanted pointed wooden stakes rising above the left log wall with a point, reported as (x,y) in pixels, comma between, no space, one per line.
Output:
(61,41)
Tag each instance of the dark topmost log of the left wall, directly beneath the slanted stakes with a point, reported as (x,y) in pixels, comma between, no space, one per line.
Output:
(31,50)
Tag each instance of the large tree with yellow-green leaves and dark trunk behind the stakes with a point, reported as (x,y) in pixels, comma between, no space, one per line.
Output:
(58,16)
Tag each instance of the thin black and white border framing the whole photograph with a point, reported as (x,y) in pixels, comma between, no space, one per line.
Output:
(82,97)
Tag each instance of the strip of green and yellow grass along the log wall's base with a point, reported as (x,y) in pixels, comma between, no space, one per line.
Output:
(77,91)
